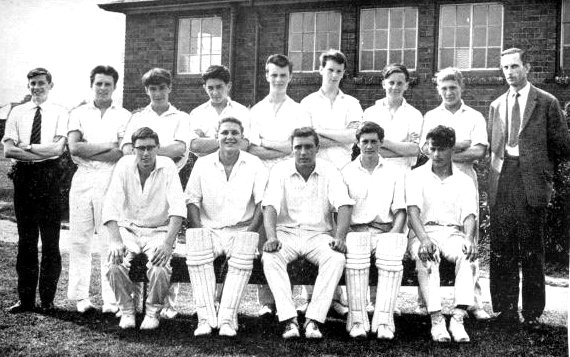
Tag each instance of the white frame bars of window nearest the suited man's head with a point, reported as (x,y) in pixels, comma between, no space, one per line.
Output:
(471,28)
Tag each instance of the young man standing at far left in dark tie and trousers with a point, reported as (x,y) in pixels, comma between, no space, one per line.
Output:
(35,138)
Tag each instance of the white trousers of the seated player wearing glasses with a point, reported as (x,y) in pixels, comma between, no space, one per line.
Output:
(137,240)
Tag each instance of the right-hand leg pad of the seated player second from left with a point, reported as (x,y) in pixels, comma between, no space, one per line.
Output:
(240,266)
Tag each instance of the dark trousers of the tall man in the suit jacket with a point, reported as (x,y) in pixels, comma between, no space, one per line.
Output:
(517,236)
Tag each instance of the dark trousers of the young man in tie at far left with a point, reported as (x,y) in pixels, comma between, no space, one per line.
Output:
(38,212)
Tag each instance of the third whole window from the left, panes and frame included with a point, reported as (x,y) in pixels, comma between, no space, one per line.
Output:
(388,36)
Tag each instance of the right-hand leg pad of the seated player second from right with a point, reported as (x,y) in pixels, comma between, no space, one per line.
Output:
(390,251)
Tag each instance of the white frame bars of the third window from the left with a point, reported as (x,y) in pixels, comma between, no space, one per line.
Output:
(388,49)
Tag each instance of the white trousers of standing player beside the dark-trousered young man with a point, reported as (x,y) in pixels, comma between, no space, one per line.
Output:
(86,195)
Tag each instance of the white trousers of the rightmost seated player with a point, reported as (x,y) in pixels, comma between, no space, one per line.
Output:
(450,244)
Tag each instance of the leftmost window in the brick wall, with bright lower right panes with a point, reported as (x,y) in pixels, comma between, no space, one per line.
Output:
(199,44)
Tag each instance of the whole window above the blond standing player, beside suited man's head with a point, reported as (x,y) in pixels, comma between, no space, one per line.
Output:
(470,36)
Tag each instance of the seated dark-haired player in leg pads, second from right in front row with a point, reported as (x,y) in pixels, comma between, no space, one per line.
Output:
(377,221)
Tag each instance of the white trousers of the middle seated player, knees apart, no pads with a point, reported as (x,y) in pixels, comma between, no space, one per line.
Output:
(315,248)
